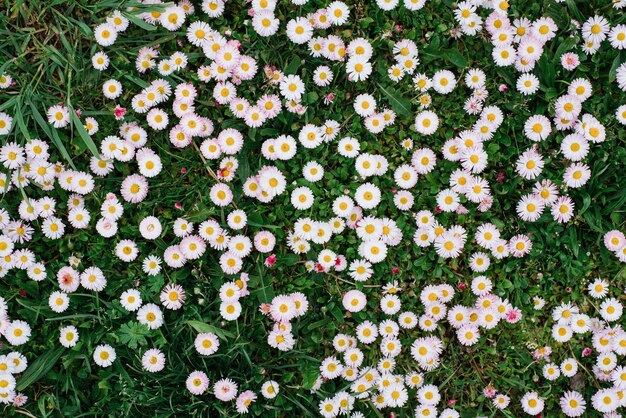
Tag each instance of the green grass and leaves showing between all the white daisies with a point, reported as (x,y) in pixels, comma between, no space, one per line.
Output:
(47,45)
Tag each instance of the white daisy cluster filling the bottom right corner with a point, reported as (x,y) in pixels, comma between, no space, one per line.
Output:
(607,343)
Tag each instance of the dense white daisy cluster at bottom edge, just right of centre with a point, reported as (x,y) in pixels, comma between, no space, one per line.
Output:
(382,383)
